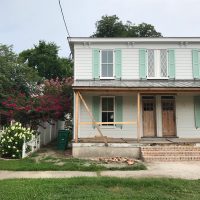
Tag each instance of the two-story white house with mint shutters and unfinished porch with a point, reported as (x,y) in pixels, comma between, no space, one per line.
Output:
(136,89)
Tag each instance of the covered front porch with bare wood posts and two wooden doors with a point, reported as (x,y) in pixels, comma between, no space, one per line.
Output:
(156,111)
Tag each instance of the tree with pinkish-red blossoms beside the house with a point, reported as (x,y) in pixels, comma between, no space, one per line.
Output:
(52,102)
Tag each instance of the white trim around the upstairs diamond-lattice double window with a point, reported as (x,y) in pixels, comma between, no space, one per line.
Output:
(157,69)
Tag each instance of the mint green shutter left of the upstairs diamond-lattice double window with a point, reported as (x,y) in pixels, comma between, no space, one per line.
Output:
(142,64)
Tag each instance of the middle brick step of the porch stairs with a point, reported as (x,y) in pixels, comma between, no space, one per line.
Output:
(171,153)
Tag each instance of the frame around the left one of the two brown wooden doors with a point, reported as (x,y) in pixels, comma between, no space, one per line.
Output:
(155,116)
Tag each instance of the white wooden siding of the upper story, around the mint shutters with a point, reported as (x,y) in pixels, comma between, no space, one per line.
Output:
(130,59)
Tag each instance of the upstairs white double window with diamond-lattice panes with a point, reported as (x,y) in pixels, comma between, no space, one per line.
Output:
(157,63)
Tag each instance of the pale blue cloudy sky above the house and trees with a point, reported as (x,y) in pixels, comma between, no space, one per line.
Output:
(25,22)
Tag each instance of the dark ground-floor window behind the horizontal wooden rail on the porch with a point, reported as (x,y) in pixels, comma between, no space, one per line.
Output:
(107,107)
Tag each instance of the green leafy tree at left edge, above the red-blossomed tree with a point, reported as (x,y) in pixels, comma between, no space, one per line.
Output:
(15,77)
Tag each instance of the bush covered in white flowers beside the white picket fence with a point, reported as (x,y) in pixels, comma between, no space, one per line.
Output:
(12,140)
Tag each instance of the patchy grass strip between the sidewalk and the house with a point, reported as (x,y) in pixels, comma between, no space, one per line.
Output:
(51,163)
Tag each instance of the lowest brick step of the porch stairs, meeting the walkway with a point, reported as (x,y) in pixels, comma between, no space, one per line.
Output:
(171,158)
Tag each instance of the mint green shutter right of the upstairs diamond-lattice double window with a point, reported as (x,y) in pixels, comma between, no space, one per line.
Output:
(171,64)
